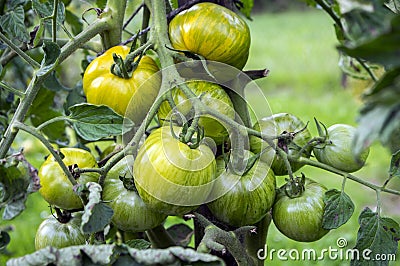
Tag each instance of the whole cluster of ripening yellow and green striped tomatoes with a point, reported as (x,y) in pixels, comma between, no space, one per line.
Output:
(173,174)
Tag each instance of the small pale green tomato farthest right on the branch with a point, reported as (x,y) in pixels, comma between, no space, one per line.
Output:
(337,152)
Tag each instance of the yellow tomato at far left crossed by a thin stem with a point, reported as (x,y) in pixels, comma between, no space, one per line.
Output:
(56,188)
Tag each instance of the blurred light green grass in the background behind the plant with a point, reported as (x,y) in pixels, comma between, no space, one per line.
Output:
(299,50)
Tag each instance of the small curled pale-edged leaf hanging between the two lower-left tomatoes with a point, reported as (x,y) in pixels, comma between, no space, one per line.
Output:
(96,213)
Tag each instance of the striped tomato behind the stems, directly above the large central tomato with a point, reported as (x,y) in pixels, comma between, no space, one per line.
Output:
(214,96)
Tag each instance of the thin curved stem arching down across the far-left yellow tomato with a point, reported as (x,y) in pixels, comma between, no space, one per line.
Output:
(34,132)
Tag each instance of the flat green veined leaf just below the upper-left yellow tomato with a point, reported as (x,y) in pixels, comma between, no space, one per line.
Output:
(93,122)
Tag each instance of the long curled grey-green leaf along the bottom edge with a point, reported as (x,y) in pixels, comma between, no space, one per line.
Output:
(110,254)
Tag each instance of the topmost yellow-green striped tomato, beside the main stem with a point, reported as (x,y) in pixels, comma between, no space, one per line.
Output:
(212,31)
